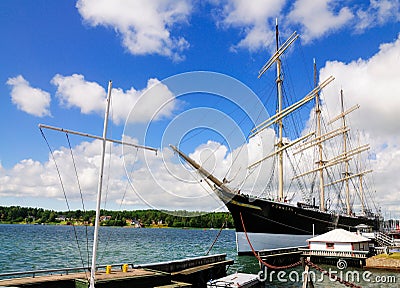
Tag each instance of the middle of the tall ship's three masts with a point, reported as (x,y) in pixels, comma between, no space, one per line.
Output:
(318,136)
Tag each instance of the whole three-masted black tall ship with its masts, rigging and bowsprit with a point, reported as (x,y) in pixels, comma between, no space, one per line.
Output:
(322,169)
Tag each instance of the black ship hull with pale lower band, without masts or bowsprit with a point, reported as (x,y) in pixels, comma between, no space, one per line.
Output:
(269,224)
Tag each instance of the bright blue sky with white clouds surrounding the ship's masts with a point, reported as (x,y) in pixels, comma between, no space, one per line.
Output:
(58,56)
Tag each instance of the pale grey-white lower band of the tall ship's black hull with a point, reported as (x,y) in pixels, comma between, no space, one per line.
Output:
(261,241)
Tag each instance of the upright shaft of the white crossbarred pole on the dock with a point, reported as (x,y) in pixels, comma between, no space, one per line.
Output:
(97,220)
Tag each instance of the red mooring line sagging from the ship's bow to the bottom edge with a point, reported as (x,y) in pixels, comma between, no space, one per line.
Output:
(307,262)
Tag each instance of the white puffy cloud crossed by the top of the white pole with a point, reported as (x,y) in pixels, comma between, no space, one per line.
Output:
(151,103)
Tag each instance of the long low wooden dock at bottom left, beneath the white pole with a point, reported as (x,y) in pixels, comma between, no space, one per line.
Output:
(193,272)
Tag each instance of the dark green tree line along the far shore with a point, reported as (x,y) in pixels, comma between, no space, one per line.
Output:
(146,218)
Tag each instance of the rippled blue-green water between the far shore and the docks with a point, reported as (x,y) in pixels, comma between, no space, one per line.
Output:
(36,247)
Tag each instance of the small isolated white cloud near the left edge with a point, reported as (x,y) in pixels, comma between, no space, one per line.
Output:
(31,100)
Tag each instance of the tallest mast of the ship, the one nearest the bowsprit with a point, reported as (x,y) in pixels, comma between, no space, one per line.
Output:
(280,122)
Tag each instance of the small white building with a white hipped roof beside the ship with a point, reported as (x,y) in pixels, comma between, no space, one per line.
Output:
(339,240)
